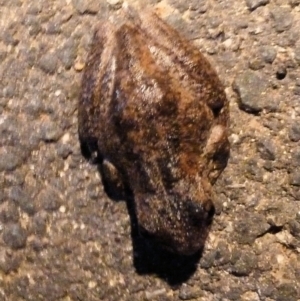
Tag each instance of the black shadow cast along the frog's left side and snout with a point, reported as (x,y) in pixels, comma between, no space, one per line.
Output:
(148,256)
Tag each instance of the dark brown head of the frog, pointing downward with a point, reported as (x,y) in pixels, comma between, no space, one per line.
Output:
(179,220)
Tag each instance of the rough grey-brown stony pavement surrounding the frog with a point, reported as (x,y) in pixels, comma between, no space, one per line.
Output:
(66,240)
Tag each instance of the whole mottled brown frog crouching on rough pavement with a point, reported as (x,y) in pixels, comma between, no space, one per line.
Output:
(154,109)
